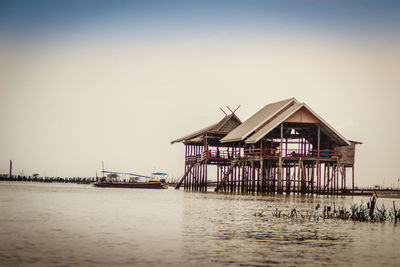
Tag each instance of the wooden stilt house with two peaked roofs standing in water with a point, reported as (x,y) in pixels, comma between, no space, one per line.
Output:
(283,148)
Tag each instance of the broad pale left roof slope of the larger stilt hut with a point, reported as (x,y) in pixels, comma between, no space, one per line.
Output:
(257,120)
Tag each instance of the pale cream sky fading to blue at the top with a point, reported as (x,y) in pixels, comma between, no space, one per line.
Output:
(83,82)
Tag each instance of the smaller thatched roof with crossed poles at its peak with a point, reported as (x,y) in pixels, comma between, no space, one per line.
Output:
(223,127)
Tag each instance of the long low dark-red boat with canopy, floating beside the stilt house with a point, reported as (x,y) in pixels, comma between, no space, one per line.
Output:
(112,181)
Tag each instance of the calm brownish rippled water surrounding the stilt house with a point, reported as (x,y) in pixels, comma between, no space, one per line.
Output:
(80,225)
